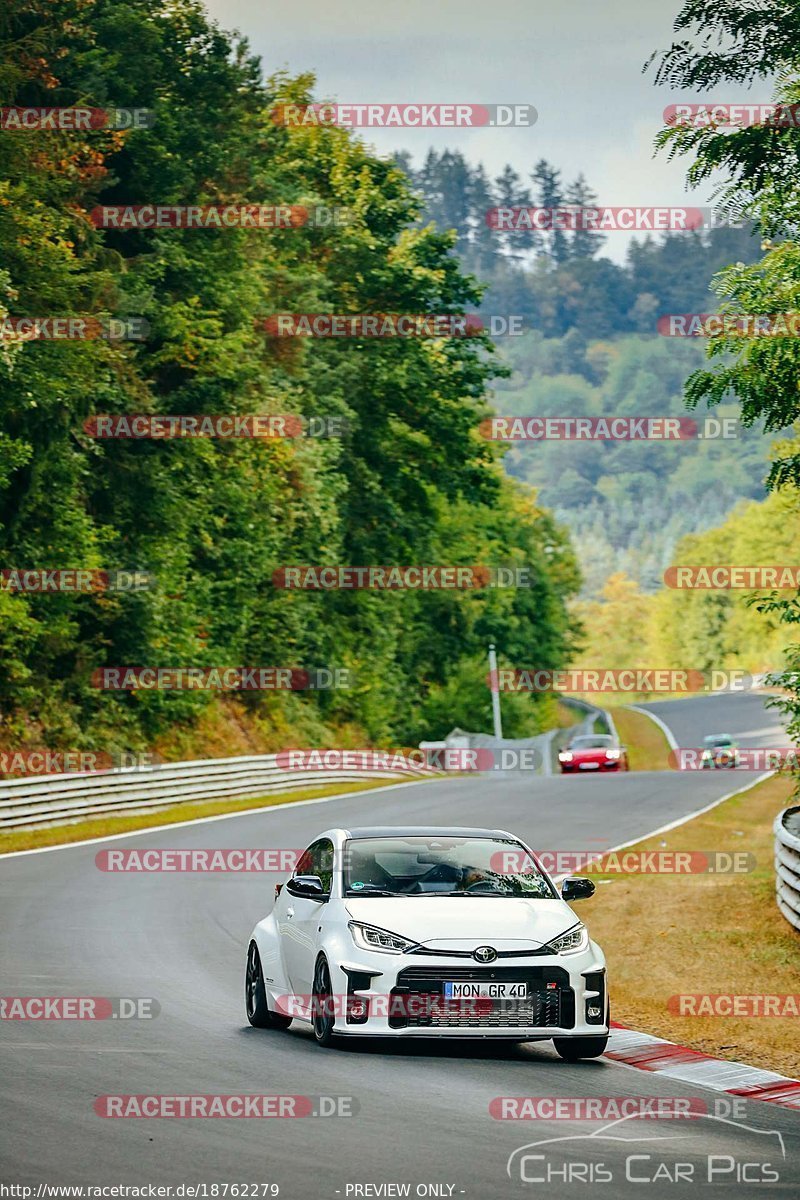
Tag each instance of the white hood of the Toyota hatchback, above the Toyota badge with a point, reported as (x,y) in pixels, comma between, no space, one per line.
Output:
(471,921)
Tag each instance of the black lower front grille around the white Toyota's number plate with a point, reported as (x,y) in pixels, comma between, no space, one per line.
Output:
(418,1000)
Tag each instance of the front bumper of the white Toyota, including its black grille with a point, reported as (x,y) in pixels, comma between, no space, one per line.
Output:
(404,997)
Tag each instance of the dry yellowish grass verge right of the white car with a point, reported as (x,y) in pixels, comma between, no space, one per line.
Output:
(665,935)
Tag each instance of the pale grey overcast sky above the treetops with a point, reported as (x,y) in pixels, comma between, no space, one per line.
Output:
(578,62)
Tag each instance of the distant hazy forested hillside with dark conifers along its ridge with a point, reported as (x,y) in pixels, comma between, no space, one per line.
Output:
(592,349)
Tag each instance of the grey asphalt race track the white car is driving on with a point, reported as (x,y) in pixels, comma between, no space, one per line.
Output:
(424,1108)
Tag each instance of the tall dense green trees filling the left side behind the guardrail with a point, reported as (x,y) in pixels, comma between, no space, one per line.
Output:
(210,521)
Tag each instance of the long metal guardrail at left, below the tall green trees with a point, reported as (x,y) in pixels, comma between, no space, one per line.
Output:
(62,799)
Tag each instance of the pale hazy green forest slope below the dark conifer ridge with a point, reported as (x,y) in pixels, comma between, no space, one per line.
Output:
(627,503)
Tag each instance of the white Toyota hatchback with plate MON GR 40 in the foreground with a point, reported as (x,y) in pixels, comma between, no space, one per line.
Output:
(429,933)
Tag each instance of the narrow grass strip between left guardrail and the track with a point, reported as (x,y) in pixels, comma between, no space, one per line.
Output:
(152,819)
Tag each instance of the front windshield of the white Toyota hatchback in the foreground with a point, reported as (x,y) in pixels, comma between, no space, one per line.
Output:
(442,866)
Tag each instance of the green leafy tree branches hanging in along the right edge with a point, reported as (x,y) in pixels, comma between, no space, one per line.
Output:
(744,41)
